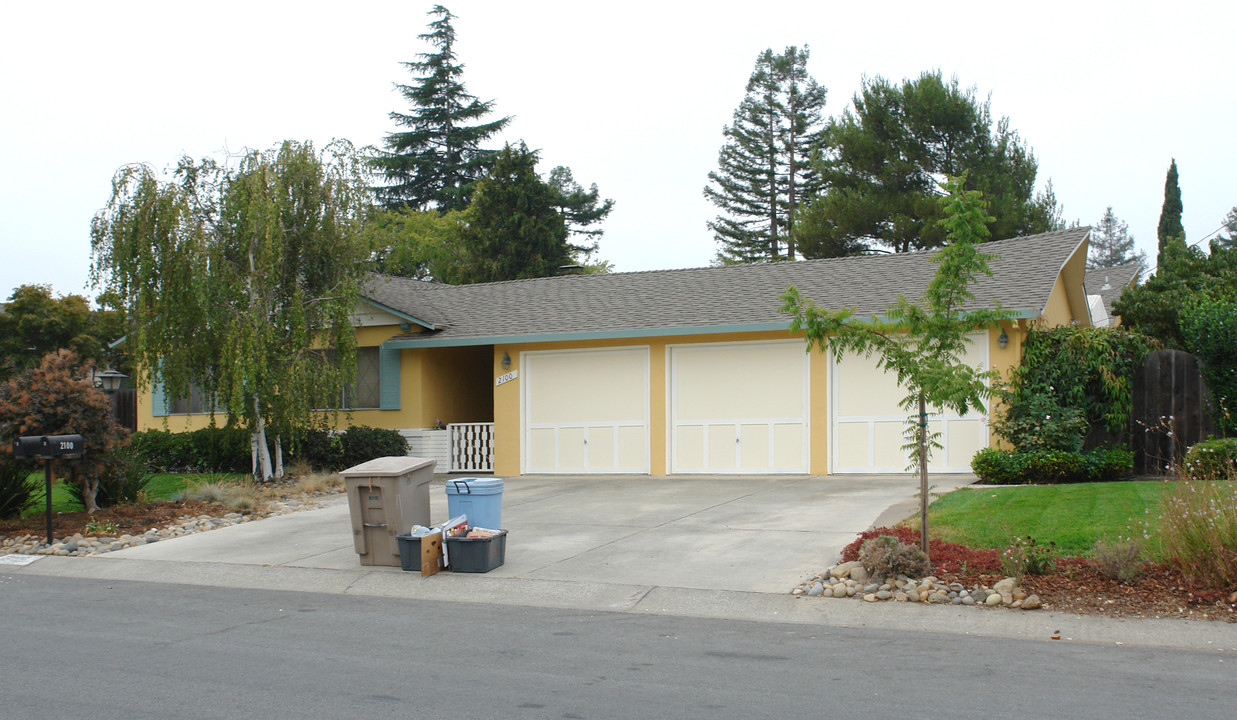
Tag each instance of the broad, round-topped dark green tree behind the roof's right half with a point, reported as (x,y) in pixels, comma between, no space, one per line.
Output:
(884,161)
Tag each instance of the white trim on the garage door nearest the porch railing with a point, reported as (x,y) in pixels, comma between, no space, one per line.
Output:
(525,426)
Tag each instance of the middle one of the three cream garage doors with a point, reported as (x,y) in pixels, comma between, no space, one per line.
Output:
(739,408)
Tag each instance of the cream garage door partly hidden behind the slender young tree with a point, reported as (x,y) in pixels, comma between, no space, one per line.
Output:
(867,425)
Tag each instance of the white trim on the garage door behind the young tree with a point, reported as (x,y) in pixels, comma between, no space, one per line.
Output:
(982,341)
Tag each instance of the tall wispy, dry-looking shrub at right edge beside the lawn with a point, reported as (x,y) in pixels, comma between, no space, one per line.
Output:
(1198,530)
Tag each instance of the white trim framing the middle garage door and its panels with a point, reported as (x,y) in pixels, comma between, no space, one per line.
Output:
(674,422)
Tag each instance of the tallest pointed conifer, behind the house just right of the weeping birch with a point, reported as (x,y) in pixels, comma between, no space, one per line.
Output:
(435,163)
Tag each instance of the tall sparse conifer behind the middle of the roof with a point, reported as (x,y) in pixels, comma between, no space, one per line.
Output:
(764,170)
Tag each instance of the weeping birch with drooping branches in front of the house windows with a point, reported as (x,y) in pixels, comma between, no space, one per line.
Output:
(236,278)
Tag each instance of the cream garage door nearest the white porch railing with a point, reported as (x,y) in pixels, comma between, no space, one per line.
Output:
(586,411)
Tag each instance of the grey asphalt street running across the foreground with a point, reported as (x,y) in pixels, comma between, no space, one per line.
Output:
(102,649)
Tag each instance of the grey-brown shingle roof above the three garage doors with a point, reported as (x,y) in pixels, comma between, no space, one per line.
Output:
(709,299)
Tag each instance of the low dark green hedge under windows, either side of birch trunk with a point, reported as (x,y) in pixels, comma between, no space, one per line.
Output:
(228,450)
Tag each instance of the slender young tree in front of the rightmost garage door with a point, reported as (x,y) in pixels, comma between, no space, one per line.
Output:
(923,345)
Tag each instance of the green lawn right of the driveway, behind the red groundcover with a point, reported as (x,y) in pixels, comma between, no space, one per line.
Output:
(1072,516)
